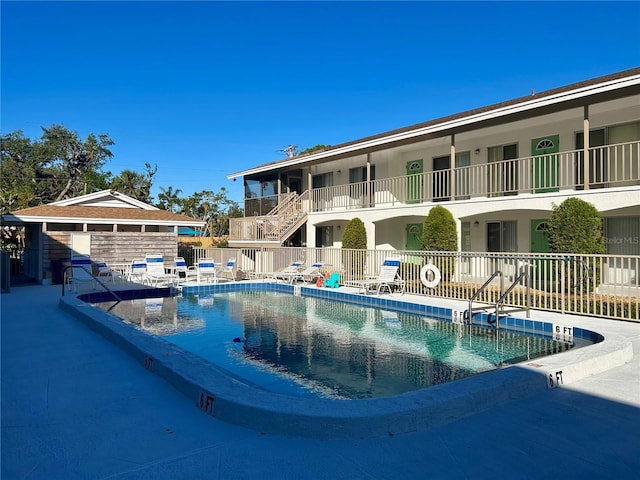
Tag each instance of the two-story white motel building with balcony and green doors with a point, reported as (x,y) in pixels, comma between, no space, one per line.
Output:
(499,169)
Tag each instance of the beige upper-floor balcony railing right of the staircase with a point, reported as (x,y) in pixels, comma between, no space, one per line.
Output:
(608,166)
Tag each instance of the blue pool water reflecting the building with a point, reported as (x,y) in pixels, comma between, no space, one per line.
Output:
(315,347)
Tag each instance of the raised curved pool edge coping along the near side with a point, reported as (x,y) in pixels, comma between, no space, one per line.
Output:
(231,400)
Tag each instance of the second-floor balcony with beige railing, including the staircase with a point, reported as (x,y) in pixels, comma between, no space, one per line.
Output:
(609,166)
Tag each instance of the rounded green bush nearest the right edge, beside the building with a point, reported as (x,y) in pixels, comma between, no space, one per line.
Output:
(575,226)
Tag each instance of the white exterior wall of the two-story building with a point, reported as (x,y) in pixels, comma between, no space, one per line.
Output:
(392,209)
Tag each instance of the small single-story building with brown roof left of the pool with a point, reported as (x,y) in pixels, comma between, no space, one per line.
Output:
(105,224)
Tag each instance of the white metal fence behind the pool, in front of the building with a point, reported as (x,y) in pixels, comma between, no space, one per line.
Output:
(600,285)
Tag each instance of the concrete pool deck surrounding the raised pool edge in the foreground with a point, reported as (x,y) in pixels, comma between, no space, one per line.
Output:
(75,405)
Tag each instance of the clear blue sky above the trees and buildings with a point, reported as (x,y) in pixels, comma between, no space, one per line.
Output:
(205,89)
